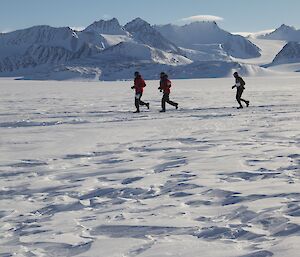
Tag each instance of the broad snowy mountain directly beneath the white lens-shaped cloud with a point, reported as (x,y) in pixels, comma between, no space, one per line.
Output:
(196,34)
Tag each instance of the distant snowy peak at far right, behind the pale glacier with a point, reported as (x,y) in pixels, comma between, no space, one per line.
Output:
(284,32)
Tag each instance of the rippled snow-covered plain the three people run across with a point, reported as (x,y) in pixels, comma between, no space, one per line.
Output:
(81,175)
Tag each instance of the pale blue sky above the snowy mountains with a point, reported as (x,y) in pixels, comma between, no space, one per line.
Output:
(233,15)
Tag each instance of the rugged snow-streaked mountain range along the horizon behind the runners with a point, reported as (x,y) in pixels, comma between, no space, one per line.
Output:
(106,50)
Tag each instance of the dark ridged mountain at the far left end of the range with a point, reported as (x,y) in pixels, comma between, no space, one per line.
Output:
(39,45)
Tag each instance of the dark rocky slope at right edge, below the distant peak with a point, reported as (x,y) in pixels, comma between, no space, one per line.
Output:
(290,53)
